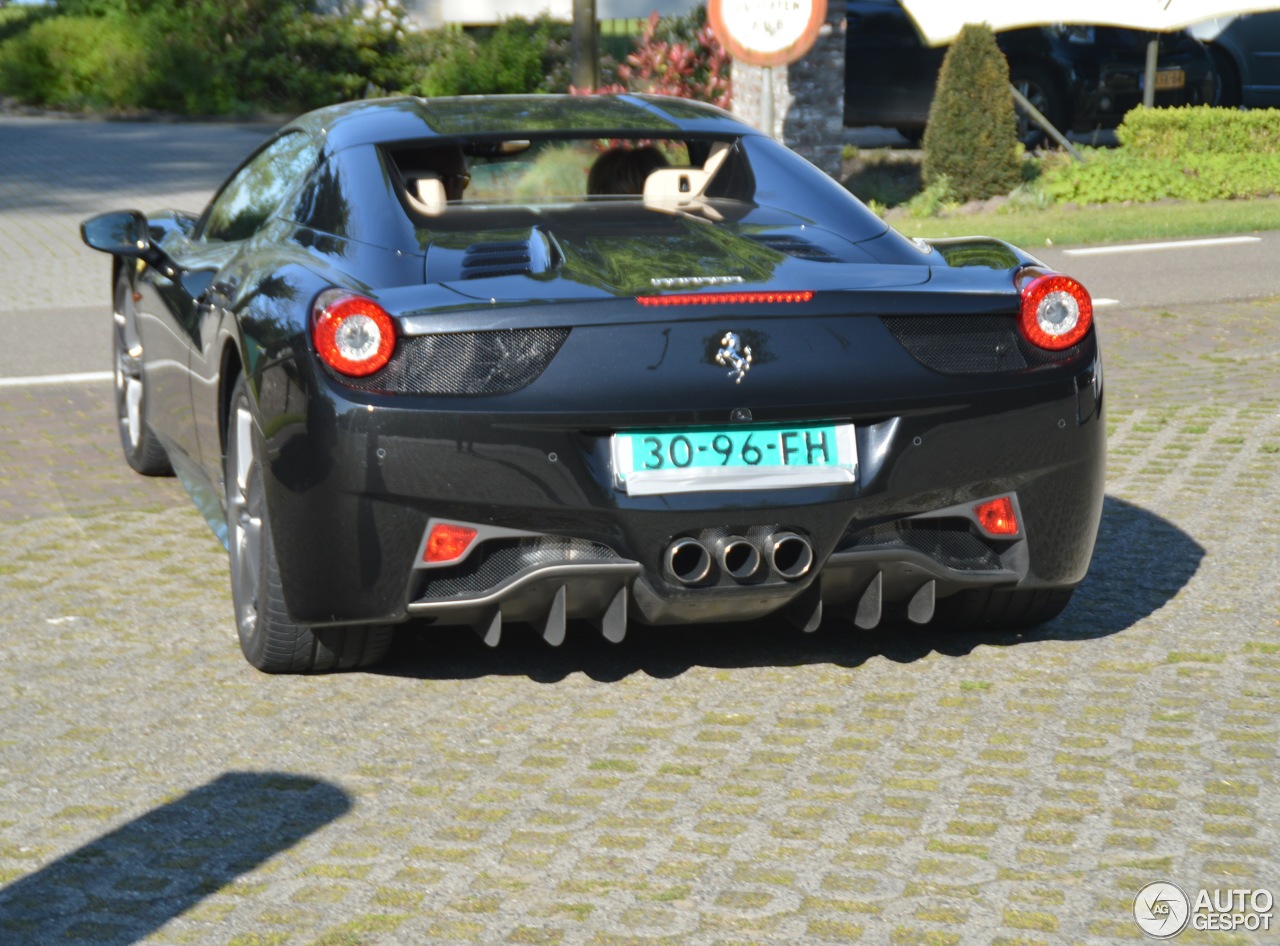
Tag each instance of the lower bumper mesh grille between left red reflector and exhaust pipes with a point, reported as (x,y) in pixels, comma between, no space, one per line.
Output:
(499,561)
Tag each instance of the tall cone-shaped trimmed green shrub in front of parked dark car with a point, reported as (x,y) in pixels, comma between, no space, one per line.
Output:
(972,135)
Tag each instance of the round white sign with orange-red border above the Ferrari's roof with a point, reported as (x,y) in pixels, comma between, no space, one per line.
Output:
(767,33)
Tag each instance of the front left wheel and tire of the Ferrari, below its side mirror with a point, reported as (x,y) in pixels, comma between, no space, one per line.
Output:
(143,450)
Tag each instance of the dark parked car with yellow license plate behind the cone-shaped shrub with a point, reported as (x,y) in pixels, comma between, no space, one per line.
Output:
(1082,79)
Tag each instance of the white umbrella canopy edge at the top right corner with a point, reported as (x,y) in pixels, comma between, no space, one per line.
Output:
(941,21)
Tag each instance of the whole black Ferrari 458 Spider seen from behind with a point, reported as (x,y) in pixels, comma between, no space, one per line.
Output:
(478,362)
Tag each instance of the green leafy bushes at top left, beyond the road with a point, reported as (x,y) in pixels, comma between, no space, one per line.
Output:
(221,57)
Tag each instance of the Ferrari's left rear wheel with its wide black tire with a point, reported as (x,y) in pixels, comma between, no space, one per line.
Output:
(269,638)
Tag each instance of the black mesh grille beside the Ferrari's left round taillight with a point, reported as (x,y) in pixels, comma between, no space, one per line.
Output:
(467,363)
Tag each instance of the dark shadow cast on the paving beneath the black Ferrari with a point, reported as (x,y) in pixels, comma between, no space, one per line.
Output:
(1133,546)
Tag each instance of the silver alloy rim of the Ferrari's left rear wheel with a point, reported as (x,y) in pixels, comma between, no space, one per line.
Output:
(244,518)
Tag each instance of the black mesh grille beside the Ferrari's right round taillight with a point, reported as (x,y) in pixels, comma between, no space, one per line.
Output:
(970,344)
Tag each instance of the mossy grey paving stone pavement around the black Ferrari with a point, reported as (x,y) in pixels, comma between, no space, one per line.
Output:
(728,785)
